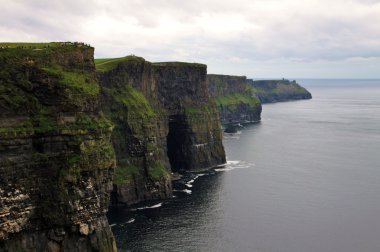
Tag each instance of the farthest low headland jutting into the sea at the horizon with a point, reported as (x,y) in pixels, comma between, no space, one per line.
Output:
(279,90)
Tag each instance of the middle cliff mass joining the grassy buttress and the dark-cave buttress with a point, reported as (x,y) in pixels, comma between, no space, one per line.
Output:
(164,121)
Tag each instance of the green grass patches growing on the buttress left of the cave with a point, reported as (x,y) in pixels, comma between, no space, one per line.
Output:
(133,116)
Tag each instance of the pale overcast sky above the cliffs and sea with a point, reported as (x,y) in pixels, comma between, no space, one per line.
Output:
(255,38)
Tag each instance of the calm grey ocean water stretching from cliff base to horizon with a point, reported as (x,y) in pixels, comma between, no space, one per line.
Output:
(305,179)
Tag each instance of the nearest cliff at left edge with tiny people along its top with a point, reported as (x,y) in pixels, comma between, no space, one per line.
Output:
(56,160)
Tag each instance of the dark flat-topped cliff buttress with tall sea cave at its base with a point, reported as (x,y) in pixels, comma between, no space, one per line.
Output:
(195,137)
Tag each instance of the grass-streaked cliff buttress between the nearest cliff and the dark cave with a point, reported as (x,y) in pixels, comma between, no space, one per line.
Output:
(130,100)
